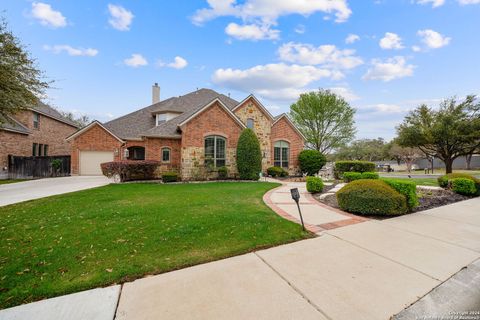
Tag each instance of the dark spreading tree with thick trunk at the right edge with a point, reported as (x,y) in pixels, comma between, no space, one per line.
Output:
(447,133)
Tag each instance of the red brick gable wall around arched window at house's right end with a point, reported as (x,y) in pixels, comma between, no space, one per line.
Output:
(283,130)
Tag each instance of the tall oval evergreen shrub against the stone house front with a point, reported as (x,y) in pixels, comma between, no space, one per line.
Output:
(249,156)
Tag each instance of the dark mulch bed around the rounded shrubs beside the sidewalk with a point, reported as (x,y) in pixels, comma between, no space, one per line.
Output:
(428,199)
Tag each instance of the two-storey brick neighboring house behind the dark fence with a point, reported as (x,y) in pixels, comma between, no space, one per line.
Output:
(36,131)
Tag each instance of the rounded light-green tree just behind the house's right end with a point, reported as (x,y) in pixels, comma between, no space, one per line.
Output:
(325,119)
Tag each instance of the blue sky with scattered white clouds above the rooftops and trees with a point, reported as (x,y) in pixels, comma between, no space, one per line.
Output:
(385,57)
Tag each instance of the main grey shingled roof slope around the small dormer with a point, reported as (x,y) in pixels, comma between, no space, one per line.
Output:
(141,123)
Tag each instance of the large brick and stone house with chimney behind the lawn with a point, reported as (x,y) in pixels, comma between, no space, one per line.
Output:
(187,134)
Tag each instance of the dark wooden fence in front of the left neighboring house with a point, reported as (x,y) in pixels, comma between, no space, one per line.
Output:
(37,167)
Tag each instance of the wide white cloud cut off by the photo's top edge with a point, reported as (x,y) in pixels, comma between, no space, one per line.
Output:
(269,11)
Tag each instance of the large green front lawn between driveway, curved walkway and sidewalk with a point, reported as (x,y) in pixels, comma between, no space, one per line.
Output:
(117,233)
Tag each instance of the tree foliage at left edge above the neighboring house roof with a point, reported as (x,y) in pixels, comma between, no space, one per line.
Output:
(21,82)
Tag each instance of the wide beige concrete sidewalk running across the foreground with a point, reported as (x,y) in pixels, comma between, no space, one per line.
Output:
(370,270)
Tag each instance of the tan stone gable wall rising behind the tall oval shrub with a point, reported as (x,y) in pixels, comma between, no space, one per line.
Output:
(262,126)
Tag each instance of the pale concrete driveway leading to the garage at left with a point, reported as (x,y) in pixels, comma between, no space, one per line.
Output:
(34,189)
